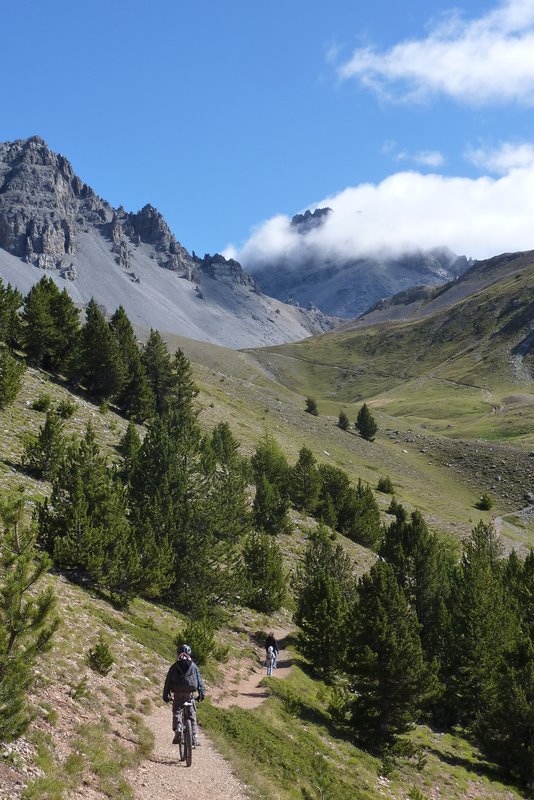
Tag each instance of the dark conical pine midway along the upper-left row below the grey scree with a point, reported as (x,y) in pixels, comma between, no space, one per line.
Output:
(101,367)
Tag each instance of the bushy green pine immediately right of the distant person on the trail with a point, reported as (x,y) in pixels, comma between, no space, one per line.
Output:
(324,587)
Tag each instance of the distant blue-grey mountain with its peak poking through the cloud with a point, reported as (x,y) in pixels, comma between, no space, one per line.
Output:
(346,288)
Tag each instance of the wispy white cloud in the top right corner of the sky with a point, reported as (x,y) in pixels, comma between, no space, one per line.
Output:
(490,59)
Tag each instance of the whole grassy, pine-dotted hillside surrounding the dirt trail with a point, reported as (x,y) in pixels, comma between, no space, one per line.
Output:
(169,526)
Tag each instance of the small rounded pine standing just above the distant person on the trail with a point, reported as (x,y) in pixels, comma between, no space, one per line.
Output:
(265,577)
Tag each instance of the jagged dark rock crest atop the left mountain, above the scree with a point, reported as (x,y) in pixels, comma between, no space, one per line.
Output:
(44,206)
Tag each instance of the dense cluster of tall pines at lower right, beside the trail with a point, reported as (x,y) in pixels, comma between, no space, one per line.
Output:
(425,637)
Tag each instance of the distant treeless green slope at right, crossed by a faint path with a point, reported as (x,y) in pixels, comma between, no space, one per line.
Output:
(457,364)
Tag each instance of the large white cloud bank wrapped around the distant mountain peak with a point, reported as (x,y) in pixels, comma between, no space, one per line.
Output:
(407,211)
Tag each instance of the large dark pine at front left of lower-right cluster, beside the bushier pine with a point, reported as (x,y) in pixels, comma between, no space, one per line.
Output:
(385,661)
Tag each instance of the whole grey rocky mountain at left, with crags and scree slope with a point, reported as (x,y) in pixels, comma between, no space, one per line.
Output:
(50,220)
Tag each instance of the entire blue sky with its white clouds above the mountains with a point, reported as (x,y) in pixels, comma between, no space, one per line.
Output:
(414,121)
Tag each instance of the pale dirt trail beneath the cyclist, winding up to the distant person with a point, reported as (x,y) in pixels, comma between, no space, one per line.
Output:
(164,777)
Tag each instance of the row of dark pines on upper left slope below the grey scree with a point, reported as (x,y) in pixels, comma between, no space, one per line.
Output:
(102,356)
